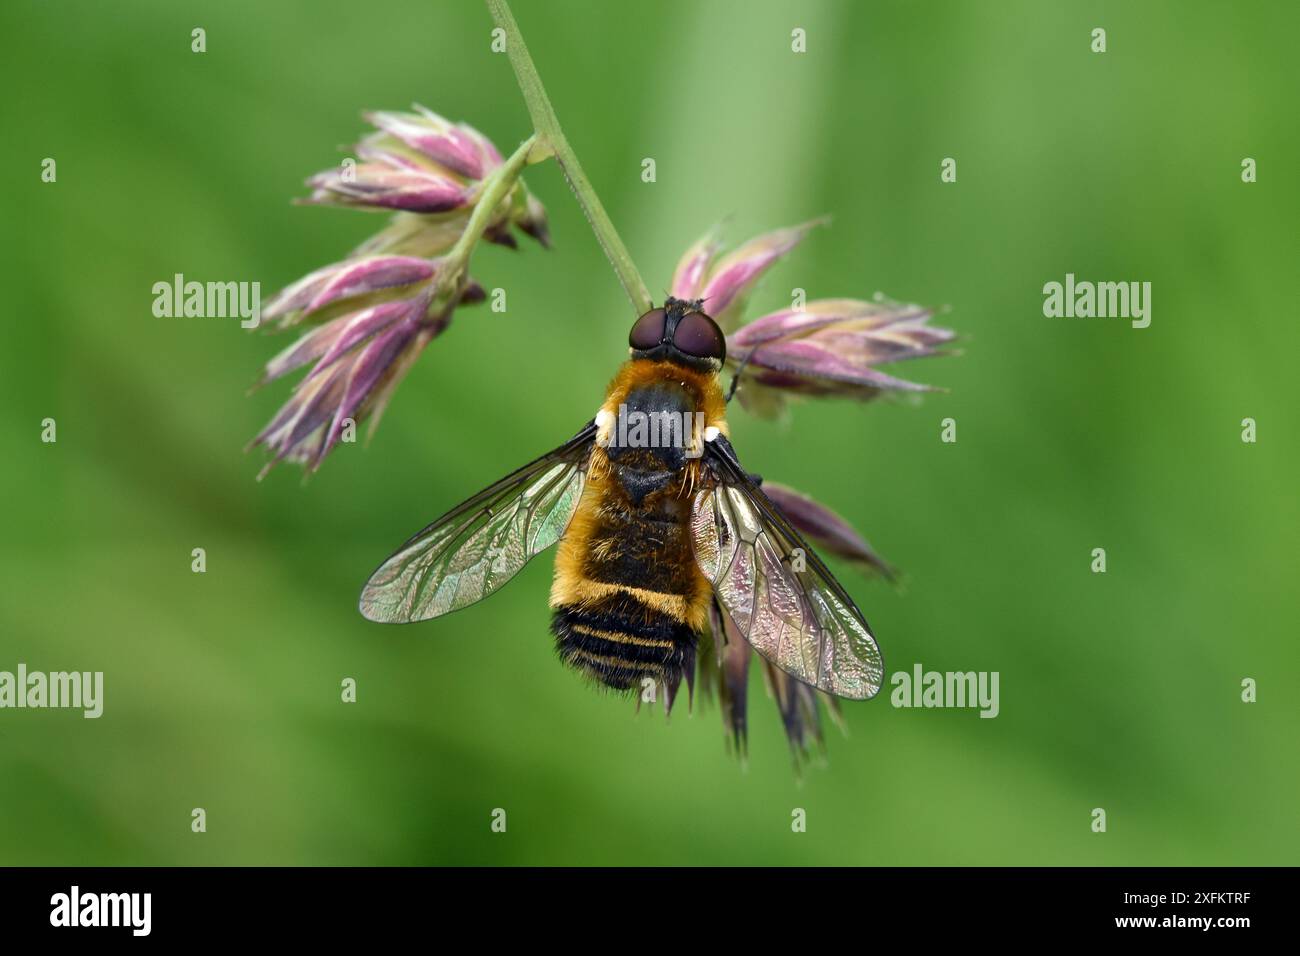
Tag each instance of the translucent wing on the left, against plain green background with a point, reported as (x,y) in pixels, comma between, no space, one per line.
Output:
(478,547)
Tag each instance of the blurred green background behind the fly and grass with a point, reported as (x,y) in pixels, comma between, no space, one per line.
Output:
(1120,691)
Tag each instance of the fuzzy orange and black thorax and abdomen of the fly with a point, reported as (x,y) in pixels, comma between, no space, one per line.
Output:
(629,602)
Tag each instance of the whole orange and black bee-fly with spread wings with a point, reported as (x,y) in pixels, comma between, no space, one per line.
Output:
(657,524)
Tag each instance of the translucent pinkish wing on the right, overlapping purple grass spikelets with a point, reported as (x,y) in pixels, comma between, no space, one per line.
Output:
(775,590)
